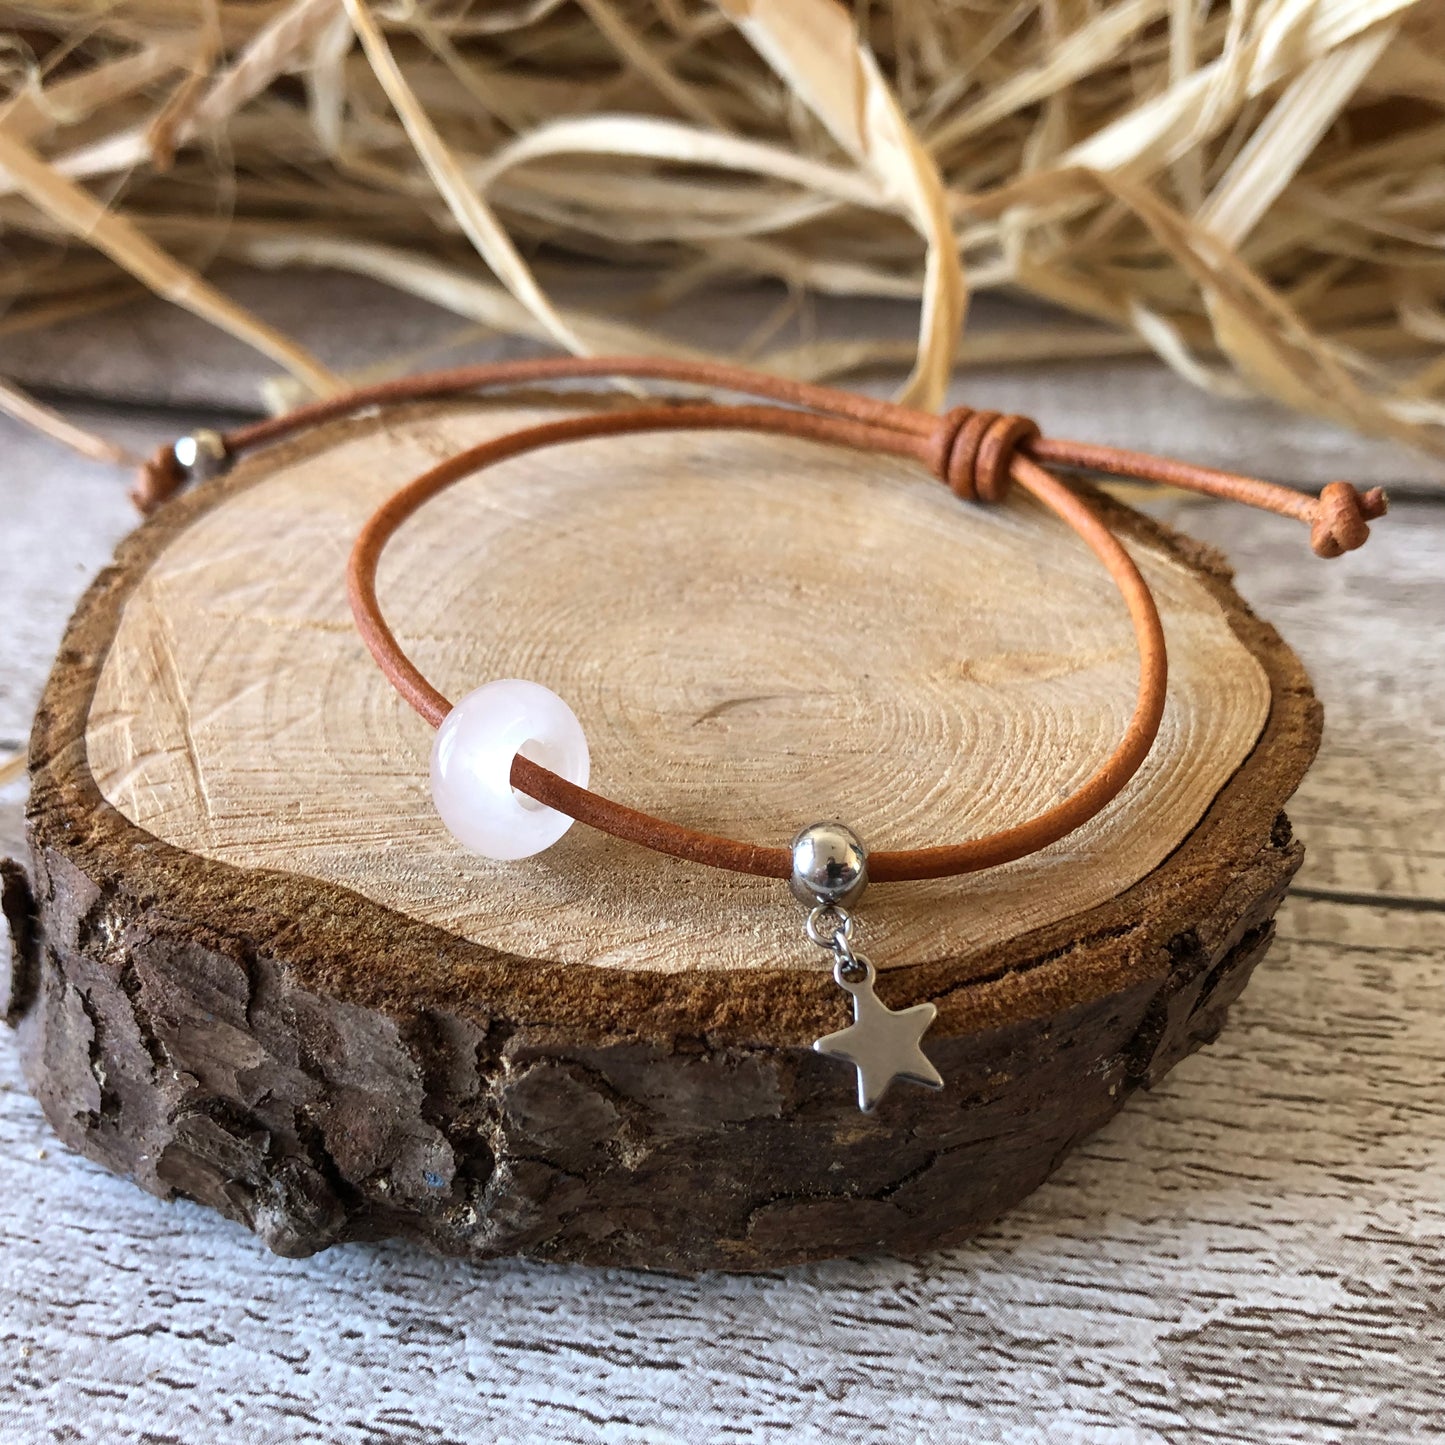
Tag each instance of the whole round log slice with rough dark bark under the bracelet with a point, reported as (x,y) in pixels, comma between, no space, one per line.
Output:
(255,970)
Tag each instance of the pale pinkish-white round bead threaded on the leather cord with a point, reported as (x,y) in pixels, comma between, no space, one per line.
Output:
(472,767)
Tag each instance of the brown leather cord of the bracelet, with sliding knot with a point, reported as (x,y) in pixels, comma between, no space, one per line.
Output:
(978,454)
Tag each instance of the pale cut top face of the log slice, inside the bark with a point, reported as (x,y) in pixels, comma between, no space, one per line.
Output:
(923,671)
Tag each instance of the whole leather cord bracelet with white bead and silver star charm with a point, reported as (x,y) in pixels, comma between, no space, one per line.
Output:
(511,765)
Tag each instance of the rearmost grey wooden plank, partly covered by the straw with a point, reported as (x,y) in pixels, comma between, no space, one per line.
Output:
(132,356)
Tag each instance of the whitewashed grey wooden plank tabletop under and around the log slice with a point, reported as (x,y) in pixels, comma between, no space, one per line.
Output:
(1252,1254)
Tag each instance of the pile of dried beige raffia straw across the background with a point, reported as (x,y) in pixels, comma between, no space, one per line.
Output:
(1254,191)
